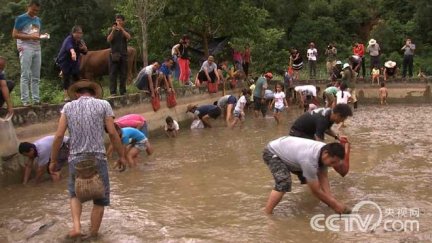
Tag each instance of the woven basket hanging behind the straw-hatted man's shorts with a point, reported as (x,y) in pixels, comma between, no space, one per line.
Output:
(88,183)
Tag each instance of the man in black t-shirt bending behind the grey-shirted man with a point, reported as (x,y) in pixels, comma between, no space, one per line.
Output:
(314,124)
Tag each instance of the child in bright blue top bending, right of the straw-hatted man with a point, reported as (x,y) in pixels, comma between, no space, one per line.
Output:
(134,141)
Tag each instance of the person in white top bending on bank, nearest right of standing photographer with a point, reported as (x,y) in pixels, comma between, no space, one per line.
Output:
(146,79)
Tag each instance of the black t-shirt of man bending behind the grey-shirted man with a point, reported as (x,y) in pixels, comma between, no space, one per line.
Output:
(314,123)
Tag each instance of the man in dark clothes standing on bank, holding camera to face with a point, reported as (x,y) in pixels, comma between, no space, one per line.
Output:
(118,38)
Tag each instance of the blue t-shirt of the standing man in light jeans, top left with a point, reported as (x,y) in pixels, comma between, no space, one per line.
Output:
(28,25)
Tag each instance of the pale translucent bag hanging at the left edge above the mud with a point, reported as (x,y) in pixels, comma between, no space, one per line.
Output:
(8,138)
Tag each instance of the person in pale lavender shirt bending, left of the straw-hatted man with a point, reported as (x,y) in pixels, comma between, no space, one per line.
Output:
(40,151)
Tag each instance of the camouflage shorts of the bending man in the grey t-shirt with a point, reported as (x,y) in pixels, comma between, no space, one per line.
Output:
(281,171)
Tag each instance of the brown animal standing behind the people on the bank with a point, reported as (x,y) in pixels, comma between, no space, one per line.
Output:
(96,64)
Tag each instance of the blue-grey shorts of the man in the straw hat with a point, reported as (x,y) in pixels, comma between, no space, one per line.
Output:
(102,167)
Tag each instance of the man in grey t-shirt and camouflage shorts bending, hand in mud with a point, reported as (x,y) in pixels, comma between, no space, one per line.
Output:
(295,155)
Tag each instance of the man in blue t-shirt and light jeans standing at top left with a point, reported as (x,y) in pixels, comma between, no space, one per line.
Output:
(27,33)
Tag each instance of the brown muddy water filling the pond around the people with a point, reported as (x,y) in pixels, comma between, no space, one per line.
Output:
(211,185)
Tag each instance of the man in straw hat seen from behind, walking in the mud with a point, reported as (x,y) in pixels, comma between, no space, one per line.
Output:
(85,118)
